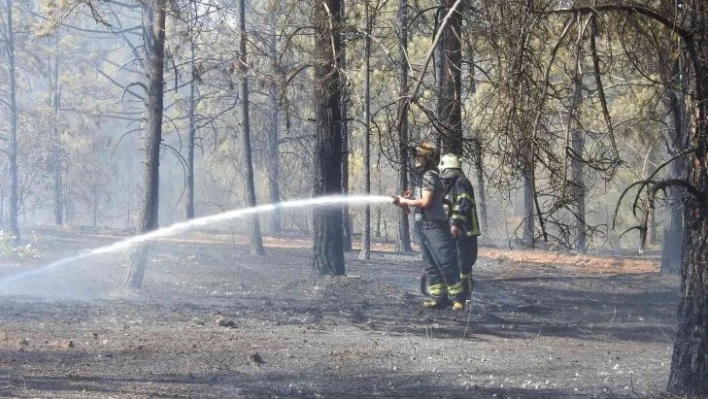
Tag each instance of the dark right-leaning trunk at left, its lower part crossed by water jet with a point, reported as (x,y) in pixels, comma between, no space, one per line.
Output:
(154,15)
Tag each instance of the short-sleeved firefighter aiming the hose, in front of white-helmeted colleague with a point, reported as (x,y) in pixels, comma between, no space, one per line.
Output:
(437,246)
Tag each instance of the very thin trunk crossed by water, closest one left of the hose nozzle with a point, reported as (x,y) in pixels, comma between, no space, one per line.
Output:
(365,253)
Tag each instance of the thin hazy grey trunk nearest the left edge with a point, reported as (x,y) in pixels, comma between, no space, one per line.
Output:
(12,152)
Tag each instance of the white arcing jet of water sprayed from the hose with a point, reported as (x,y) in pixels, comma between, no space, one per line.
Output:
(7,283)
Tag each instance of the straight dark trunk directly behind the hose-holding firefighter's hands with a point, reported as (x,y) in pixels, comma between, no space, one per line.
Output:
(403,243)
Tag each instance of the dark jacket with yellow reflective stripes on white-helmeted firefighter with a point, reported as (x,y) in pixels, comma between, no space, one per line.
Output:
(459,194)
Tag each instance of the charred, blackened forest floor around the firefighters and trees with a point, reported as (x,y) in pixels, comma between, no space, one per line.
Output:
(215,321)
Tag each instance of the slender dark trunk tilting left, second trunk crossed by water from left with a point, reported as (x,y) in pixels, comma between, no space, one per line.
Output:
(254,225)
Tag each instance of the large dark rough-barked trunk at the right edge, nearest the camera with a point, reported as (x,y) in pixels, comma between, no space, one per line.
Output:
(689,363)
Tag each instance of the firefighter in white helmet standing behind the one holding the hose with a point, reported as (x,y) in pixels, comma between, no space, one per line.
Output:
(464,224)
